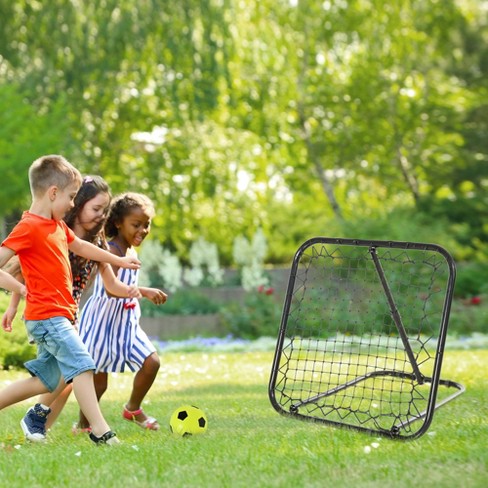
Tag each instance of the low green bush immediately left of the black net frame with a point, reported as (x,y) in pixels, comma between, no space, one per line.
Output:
(258,316)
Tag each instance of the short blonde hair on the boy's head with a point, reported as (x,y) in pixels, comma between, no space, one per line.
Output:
(52,170)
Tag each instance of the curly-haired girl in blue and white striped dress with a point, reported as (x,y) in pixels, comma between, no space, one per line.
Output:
(110,326)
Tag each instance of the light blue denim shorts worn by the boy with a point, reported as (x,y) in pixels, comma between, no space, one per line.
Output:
(60,351)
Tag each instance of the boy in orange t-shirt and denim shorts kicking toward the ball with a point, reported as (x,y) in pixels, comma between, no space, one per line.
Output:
(42,240)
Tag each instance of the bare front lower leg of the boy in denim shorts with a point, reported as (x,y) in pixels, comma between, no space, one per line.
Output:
(84,389)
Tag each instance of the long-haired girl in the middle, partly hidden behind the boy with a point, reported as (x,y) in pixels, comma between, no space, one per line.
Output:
(86,219)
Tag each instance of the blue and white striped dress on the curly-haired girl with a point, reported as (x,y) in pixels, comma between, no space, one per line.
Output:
(110,328)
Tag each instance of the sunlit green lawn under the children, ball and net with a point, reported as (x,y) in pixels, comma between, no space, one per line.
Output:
(248,443)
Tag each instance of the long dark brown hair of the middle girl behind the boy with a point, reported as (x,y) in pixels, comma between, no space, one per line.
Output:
(90,187)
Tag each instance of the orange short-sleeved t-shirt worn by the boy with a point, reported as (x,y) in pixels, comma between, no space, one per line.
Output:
(42,247)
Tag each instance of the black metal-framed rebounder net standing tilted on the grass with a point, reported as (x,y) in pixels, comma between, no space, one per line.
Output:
(362,336)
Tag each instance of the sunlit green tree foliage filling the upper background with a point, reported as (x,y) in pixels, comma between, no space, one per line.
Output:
(235,116)
